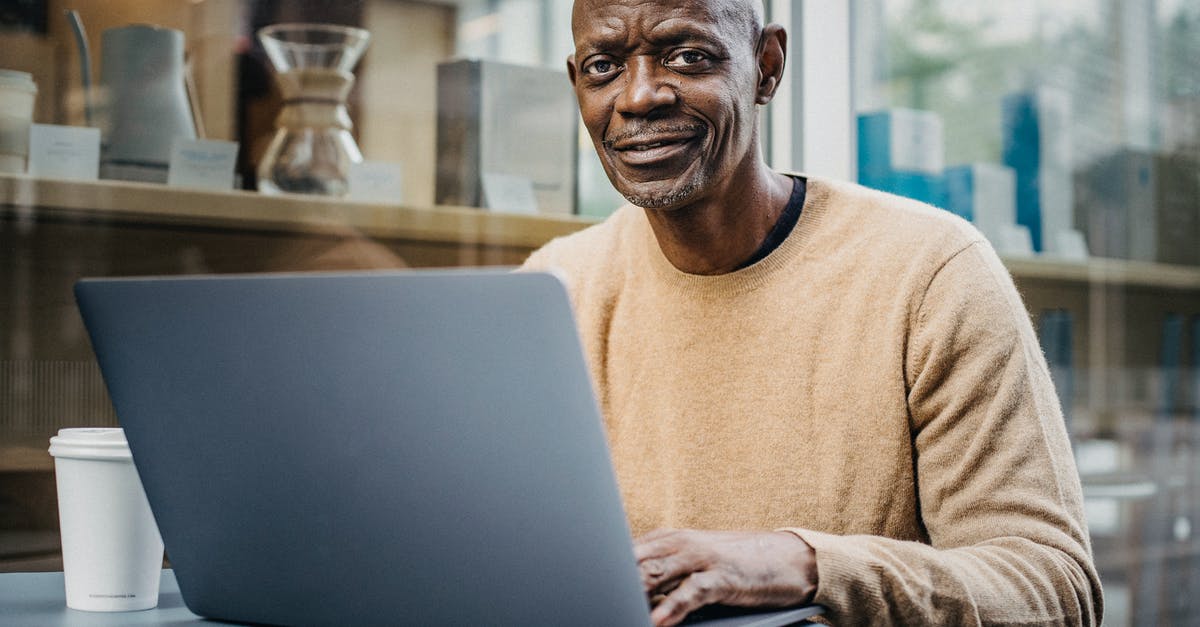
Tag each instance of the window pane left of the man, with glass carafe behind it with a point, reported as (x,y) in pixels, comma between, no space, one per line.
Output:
(397,134)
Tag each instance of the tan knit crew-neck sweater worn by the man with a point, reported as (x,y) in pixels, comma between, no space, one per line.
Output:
(874,385)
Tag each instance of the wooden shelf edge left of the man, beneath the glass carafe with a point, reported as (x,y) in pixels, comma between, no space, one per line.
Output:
(137,202)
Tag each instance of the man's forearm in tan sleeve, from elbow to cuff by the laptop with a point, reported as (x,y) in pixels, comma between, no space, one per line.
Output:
(875,581)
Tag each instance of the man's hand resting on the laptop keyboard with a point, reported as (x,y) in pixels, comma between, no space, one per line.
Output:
(685,571)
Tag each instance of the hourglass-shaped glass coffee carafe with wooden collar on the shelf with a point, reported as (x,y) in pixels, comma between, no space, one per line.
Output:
(313,148)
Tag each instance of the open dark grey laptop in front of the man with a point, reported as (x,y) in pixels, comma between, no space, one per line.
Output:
(373,449)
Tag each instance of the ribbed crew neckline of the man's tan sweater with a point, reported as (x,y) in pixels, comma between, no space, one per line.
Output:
(747,279)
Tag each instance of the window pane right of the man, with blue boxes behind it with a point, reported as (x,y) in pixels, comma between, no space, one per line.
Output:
(1070,134)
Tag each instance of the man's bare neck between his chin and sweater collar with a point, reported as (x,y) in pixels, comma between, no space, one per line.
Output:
(718,234)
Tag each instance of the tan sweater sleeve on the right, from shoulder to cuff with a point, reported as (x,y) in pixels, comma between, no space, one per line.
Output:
(998,487)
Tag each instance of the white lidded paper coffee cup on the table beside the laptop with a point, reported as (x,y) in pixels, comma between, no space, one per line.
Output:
(112,553)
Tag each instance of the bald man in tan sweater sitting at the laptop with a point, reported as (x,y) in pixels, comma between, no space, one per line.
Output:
(833,396)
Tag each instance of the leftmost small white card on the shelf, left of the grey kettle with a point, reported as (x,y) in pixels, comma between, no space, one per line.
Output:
(64,152)
